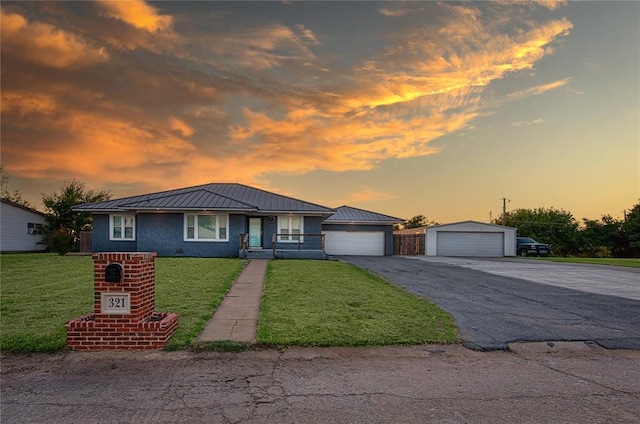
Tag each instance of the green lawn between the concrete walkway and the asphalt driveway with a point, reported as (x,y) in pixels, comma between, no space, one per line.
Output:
(327,303)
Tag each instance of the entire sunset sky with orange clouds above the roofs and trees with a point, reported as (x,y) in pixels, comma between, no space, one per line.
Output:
(439,109)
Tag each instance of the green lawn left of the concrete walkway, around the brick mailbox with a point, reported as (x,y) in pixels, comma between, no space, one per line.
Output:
(40,292)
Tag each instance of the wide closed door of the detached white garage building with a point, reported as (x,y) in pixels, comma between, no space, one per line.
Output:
(451,243)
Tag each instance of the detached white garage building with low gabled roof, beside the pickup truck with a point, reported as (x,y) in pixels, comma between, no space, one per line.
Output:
(470,238)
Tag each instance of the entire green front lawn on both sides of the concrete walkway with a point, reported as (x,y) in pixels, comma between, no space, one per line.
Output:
(320,303)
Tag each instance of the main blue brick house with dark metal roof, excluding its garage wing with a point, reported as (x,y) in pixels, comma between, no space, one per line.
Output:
(210,220)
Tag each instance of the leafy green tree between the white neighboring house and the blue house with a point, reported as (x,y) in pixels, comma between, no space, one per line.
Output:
(63,225)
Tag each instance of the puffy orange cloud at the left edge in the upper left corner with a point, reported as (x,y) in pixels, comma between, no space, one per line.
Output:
(44,44)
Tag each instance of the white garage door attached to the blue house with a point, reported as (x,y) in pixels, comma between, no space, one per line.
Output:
(363,243)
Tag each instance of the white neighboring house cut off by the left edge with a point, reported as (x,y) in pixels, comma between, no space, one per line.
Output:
(20,228)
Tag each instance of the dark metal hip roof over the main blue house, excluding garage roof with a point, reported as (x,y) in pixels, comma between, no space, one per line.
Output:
(213,196)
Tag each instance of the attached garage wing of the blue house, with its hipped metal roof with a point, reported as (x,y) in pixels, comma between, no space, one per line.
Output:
(353,231)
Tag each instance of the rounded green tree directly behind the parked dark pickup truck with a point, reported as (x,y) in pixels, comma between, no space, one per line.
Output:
(554,226)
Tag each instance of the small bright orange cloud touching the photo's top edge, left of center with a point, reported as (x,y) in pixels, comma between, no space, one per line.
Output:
(138,14)
